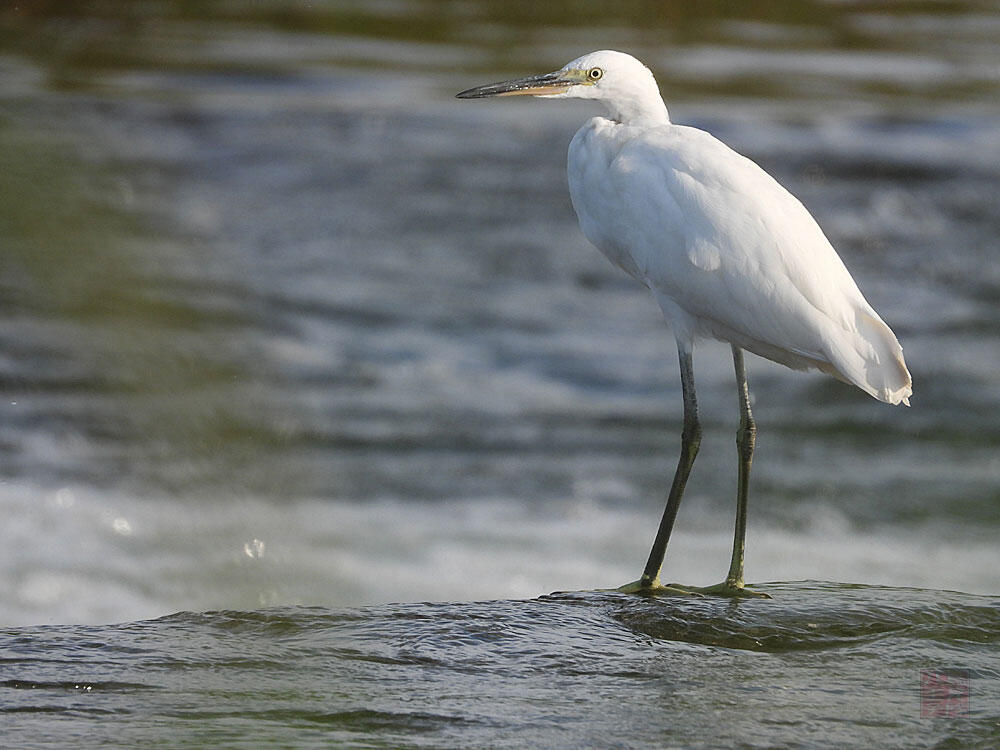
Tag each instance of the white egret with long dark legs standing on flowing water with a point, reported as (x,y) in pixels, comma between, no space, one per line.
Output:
(728,254)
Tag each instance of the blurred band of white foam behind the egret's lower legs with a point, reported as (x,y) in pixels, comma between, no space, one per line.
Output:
(81,556)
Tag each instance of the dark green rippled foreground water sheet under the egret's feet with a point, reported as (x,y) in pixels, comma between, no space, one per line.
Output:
(819,665)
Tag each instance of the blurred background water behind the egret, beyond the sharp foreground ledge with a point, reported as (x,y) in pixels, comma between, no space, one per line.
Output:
(281,321)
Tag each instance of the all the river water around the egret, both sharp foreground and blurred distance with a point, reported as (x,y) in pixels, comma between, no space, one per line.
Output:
(286,331)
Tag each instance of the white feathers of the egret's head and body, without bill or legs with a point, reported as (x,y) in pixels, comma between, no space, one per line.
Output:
(728,252)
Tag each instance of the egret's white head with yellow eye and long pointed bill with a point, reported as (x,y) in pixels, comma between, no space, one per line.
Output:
(623,84)
